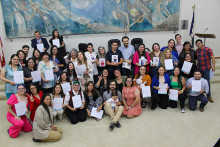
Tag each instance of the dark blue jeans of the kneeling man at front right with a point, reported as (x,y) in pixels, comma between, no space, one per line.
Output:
(193,101)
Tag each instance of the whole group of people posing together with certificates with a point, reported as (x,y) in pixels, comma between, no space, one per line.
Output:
(110,80)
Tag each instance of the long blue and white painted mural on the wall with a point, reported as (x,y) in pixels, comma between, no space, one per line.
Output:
(23,17)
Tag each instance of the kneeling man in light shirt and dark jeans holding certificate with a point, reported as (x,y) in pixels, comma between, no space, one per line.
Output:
(197,86)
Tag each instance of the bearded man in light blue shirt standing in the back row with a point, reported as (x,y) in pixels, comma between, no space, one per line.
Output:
(127,52)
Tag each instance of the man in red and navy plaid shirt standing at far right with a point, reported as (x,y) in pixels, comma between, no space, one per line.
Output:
(205,55)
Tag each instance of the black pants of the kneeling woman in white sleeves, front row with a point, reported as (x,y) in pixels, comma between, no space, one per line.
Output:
(76,116)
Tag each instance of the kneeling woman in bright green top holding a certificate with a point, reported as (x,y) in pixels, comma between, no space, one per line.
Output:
(177,82)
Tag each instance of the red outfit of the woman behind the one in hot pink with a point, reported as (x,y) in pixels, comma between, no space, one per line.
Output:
(34,105)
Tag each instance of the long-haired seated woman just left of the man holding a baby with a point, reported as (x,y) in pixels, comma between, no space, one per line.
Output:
(93,98)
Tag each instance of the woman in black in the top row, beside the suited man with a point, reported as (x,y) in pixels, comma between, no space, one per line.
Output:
(58,41)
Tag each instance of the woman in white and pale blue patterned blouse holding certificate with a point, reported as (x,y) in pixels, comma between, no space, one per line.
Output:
(47,69)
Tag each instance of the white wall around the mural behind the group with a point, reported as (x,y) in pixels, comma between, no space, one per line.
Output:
(207,12)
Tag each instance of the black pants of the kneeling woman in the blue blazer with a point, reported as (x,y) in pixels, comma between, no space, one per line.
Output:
(160,99)
